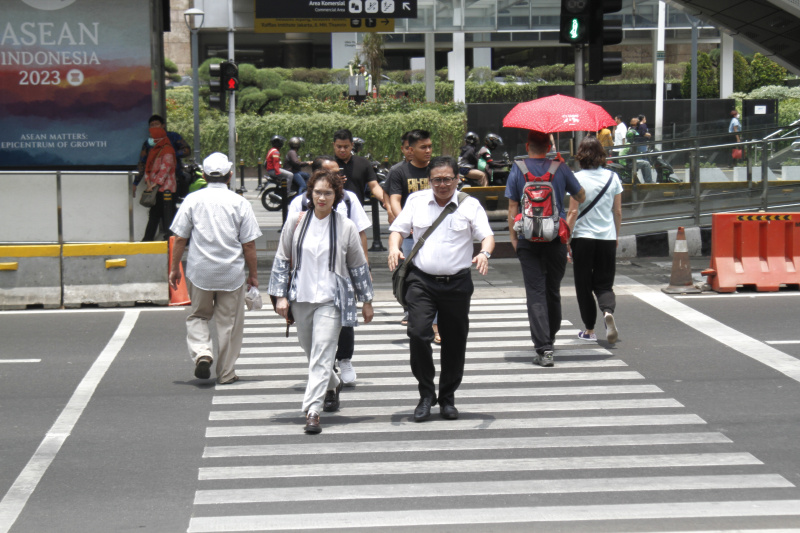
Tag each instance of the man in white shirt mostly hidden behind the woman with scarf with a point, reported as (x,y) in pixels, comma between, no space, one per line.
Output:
(350,207)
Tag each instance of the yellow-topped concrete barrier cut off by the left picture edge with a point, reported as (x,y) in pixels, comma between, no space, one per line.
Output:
(30,275)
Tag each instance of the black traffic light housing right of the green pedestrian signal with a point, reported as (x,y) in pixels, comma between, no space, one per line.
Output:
(604,32)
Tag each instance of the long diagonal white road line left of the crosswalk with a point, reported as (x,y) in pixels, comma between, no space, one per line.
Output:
(17,496)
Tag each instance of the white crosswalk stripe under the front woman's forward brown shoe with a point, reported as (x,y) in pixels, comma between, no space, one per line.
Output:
(482,423)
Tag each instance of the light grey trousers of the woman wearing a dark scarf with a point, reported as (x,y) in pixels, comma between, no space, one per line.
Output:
(318,328)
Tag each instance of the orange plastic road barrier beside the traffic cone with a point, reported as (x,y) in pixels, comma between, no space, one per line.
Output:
(754,249)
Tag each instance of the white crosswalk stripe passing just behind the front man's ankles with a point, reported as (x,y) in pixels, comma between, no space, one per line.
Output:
(463,394)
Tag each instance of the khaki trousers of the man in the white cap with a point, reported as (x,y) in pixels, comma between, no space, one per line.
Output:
(227,310)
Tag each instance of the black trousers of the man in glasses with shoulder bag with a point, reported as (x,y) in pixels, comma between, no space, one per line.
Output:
(425,297)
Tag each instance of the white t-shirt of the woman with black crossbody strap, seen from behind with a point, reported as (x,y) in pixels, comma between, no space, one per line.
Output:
(599,222)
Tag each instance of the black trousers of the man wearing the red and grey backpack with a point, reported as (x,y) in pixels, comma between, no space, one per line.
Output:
(543,267)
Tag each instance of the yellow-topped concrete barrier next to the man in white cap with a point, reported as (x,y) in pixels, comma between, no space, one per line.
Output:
(115,274)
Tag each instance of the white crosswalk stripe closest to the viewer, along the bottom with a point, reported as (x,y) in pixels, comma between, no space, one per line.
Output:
(500,515)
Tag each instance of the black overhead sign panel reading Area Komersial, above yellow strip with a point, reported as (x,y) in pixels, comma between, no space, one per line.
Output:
(332,9)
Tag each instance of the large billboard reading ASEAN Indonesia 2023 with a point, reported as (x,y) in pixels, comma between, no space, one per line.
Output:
(76,83)
